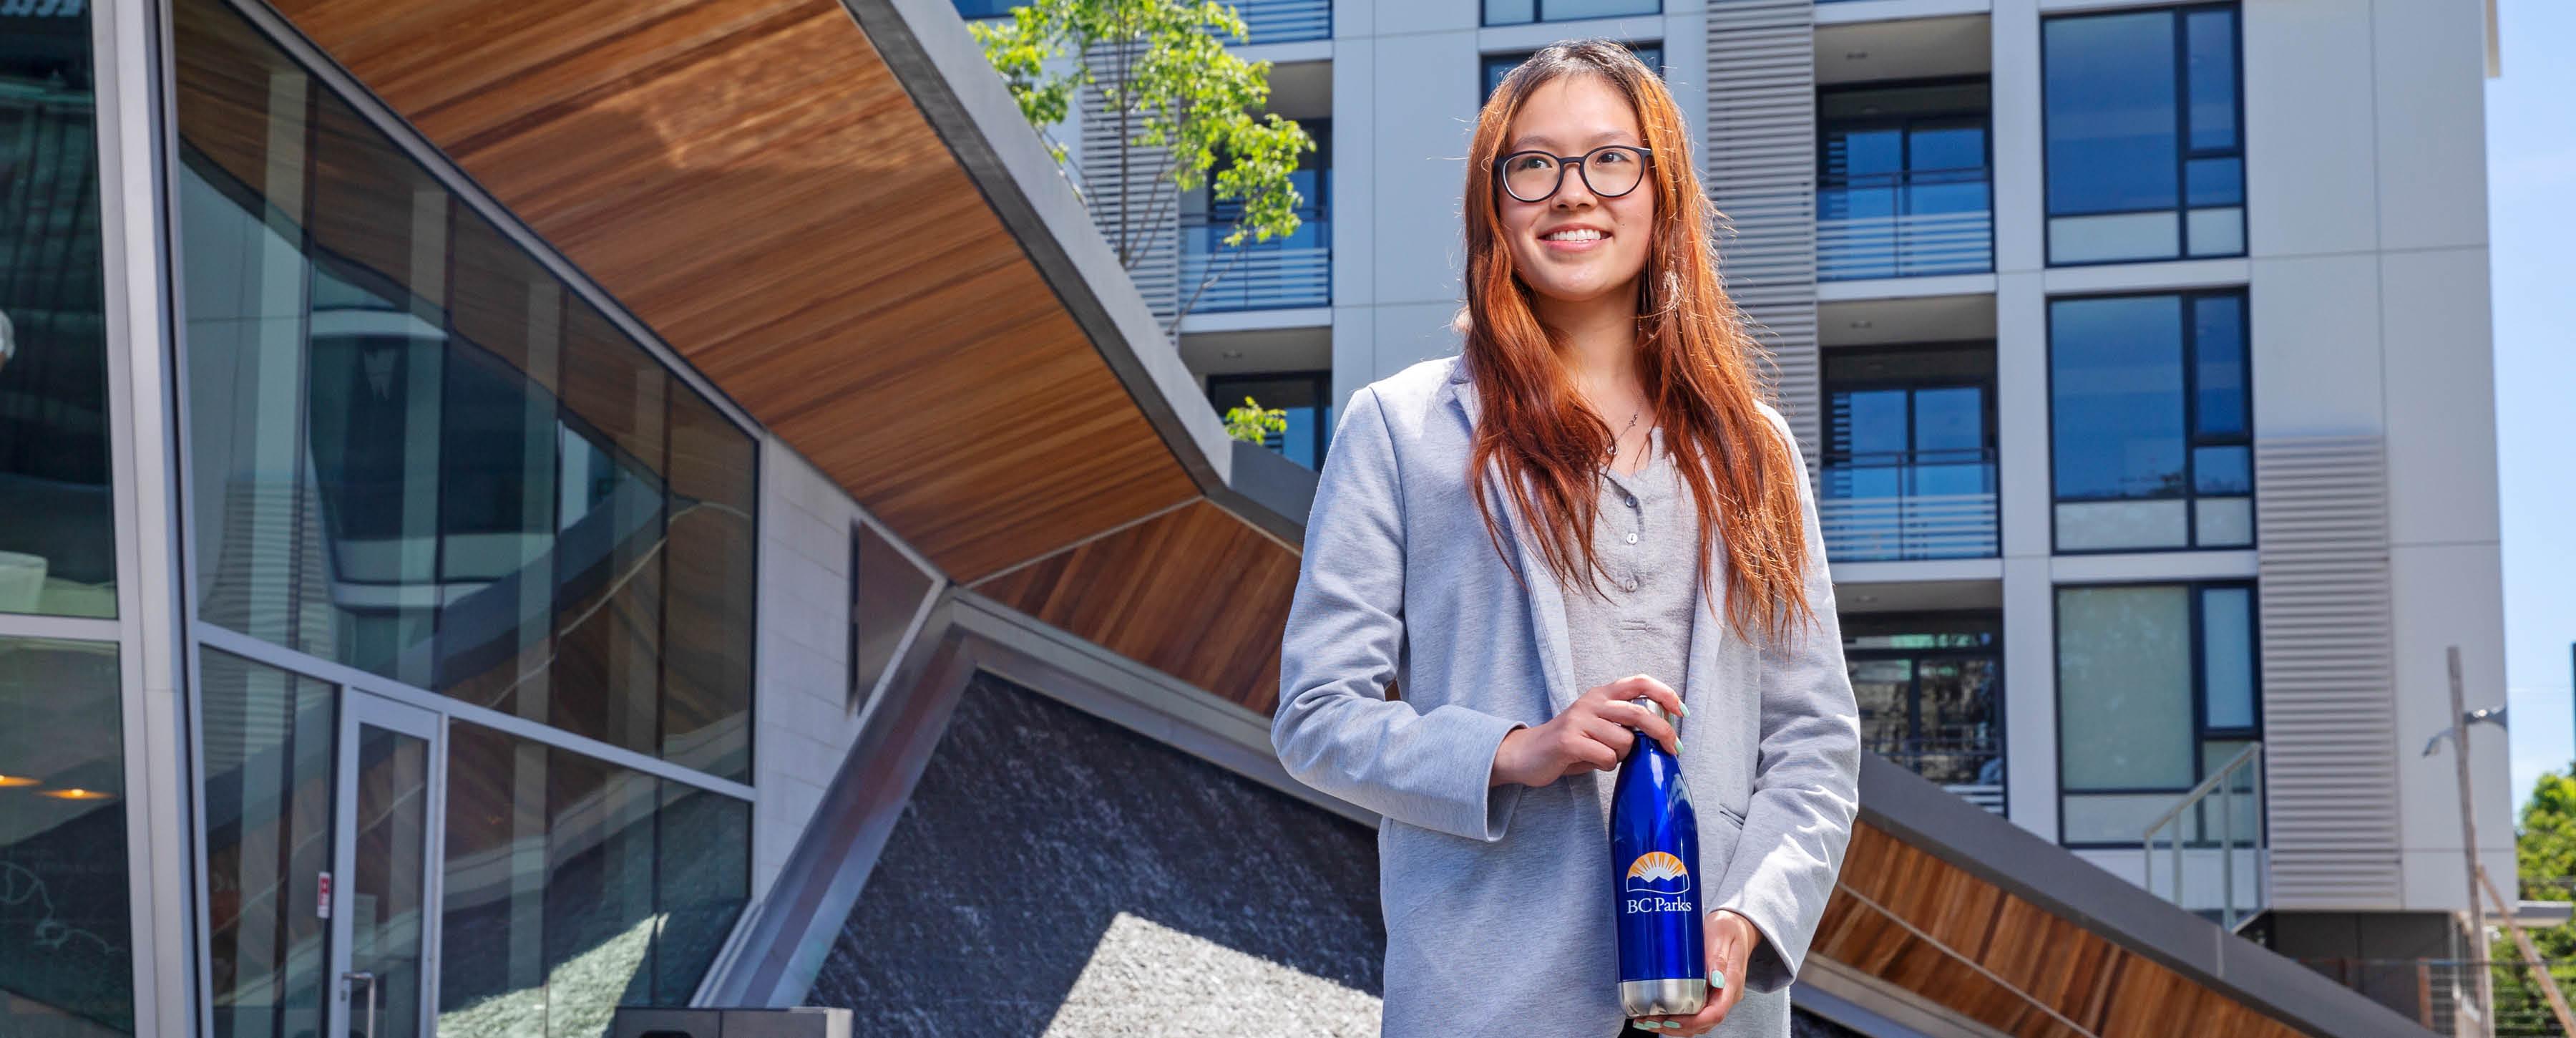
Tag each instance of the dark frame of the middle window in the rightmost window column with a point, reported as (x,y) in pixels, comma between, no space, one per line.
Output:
(2191,419)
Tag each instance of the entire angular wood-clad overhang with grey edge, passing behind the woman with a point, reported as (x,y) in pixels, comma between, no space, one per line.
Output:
(836,215)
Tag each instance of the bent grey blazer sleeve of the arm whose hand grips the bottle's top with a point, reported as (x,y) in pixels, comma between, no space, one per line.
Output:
(1336,728)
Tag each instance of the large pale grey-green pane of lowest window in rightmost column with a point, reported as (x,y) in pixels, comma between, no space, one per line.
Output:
(2124,689)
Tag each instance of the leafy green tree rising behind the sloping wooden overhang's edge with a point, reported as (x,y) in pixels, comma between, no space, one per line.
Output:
(1179,99)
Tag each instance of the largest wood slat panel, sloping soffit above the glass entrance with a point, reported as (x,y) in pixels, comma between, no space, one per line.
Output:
(753,184)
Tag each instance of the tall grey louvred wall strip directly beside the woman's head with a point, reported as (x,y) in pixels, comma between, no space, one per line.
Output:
(1761,171)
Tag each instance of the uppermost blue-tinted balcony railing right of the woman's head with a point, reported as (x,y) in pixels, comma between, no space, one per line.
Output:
(1905,228)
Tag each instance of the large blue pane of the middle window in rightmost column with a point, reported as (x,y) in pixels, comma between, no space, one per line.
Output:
(2116,395)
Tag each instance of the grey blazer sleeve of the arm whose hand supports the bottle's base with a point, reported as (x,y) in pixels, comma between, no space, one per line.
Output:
(1807,779)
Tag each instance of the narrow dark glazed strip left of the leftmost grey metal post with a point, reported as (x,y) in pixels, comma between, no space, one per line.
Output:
(66,900)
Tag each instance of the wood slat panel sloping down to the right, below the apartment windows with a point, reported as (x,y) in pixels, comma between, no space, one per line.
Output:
(2003,959)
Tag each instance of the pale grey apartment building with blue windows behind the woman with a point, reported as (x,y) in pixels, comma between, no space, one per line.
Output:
(2142,352)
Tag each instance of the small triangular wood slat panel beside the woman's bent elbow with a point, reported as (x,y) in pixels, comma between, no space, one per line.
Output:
(1194,594)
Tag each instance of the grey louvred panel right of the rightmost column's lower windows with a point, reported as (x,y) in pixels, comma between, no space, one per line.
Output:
(2330,704)
